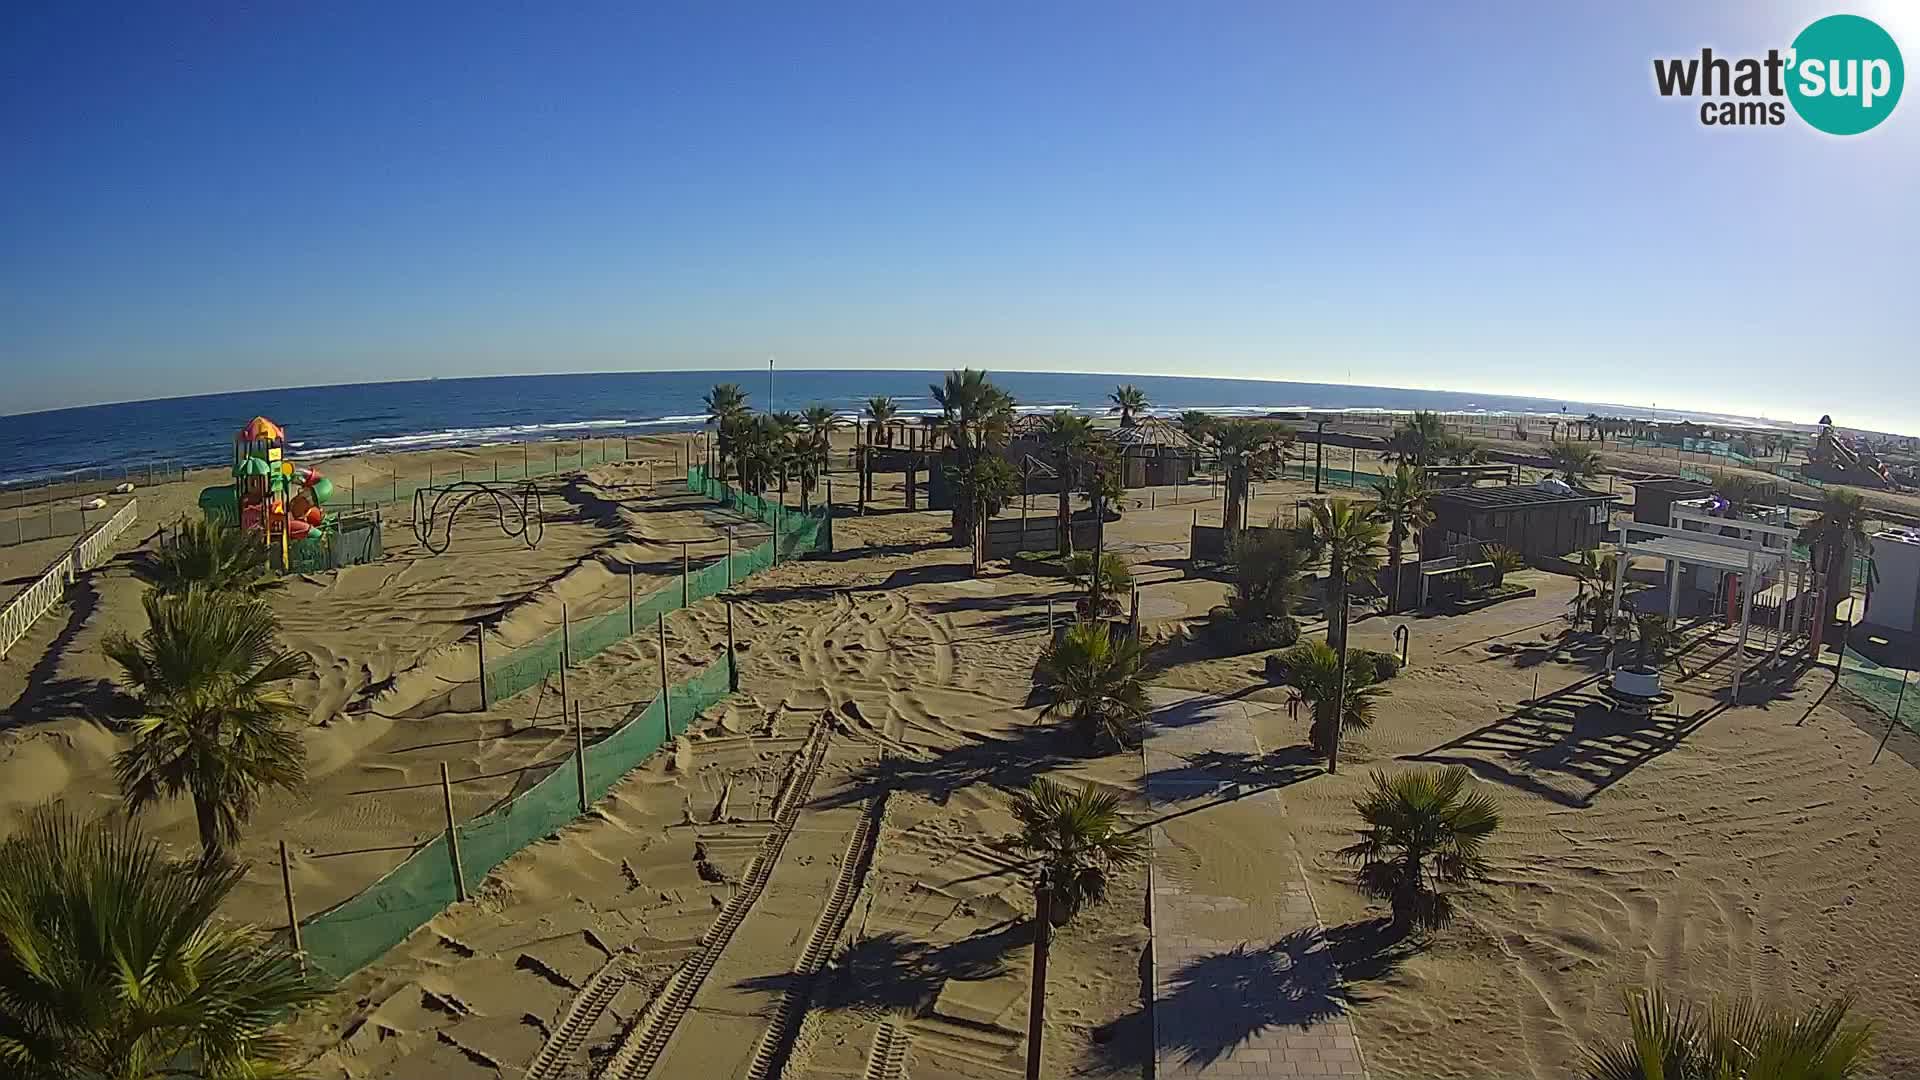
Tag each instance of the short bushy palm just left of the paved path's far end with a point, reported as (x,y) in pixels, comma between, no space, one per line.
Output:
(1097,681)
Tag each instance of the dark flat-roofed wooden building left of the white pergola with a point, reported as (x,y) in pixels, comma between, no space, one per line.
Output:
(1537,522)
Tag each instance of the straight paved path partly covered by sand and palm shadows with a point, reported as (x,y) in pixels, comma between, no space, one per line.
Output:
(1243,985)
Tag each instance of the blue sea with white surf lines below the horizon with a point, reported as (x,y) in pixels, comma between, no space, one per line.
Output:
(331,422)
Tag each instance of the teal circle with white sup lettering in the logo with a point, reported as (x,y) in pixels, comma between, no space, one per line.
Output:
(1846,74)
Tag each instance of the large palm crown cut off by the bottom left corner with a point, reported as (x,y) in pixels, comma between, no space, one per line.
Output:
(116,966)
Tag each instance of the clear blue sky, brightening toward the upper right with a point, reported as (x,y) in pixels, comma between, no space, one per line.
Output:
(1483,197)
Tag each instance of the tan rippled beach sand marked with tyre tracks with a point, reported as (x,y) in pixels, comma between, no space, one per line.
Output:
(855,791)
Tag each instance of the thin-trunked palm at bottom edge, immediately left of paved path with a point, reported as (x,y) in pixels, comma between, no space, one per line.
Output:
(1078,841)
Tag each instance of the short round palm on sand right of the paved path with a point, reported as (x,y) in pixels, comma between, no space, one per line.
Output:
(1424,831)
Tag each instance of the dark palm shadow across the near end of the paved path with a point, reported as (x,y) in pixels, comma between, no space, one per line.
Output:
(1218,1002)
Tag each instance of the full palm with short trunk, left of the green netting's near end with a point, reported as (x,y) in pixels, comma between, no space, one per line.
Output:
(214,725)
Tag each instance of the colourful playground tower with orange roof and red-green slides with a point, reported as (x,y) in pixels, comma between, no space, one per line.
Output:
(283,504)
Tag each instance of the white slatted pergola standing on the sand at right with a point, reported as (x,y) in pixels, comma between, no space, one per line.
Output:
(1748,556)
